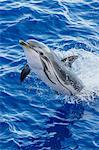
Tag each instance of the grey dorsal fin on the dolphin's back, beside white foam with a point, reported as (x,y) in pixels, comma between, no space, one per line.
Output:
(69,60)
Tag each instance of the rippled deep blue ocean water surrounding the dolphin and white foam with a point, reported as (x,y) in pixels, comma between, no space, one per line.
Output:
(33,116)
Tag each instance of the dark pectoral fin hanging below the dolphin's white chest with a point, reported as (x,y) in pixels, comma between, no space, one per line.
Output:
(25,72)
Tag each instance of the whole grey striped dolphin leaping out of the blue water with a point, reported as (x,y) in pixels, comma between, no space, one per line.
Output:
(50,68)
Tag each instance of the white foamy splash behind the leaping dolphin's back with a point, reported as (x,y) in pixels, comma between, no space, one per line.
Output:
(87,69)
